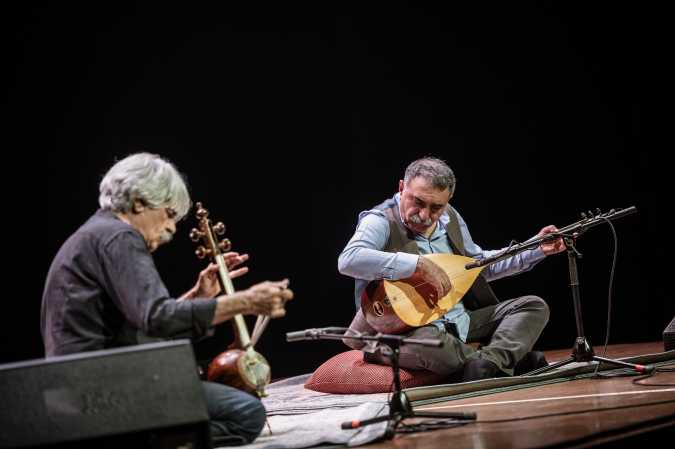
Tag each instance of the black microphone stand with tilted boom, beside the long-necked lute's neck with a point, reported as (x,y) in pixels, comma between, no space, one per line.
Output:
(582,350)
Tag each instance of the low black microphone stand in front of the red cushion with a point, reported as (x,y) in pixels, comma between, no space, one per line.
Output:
(399,405)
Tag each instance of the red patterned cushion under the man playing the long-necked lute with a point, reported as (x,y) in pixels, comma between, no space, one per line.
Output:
(347,373)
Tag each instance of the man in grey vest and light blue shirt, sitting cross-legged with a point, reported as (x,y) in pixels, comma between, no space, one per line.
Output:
(387,244)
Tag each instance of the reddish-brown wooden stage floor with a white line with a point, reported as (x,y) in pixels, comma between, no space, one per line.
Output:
(601,412)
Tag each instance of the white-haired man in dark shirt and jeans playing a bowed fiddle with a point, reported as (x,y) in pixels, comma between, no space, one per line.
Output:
(103,290)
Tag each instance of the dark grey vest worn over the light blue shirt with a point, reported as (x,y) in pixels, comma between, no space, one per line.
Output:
(402,239)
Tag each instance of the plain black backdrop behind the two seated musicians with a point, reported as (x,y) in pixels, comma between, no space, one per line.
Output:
(287,123)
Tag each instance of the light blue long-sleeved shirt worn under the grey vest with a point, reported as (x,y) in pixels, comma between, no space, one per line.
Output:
(364,260)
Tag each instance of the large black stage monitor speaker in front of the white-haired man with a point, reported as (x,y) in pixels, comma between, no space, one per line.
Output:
(145,396)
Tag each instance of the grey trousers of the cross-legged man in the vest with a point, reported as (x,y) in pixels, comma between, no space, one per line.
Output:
(506,332)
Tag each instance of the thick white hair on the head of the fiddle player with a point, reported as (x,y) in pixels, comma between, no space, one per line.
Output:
(147,178)
